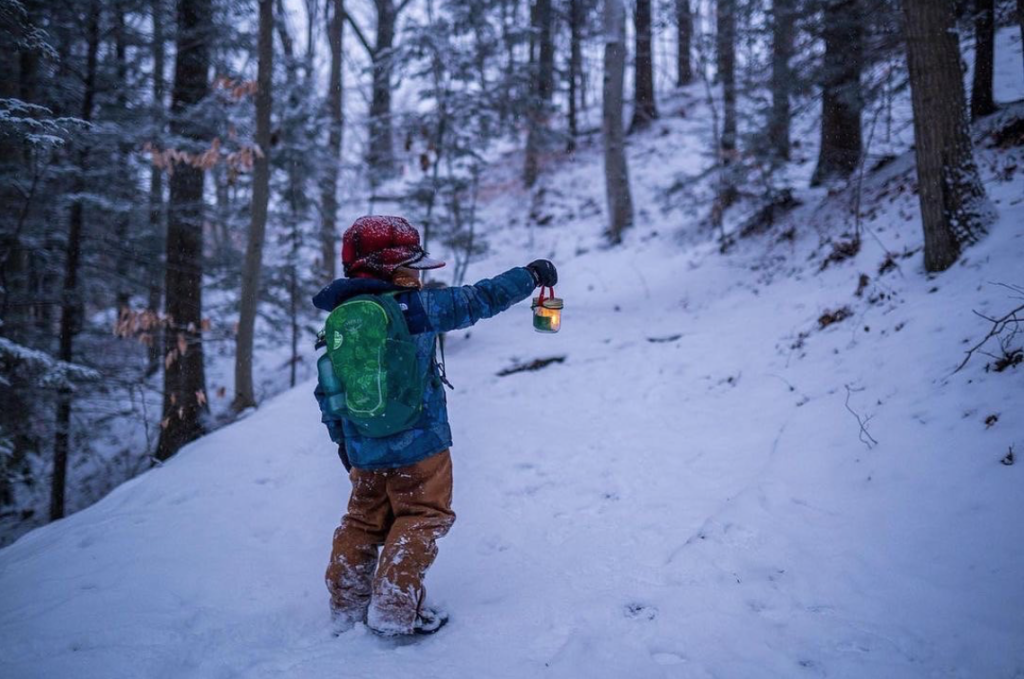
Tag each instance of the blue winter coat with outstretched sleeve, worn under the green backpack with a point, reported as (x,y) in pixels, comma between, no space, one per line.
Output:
(429,313)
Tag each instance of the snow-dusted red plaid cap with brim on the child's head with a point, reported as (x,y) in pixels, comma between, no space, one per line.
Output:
(375,246)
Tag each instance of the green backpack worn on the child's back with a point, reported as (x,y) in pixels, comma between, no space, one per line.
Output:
(374,357)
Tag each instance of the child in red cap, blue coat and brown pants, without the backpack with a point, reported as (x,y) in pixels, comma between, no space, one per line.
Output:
(402,484)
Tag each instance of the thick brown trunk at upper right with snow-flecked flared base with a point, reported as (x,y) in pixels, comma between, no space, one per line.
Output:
(954,207)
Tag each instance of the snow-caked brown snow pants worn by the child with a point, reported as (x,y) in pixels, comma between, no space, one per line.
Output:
(405,511)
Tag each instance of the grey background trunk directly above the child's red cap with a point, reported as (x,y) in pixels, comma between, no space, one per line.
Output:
(381,152)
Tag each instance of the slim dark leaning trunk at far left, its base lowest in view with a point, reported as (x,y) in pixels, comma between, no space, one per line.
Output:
(71,304)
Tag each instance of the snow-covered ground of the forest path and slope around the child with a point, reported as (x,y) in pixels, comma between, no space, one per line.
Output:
(689,495)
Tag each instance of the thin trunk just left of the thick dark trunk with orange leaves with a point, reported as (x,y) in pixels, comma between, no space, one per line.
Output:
(156,271)
